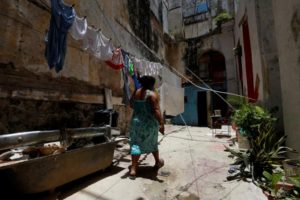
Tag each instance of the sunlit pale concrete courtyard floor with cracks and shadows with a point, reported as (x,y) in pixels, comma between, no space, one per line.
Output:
(196,167)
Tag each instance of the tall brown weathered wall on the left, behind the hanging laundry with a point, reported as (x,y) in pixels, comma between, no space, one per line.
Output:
(25,75)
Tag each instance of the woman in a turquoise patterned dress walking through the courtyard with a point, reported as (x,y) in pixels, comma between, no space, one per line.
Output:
(145,124)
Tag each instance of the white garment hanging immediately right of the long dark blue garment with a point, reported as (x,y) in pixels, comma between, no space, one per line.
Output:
(79,28)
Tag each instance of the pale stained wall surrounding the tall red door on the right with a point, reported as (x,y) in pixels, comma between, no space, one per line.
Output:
(264,52)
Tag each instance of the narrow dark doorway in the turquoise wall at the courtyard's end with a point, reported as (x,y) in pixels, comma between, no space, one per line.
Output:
(202,109)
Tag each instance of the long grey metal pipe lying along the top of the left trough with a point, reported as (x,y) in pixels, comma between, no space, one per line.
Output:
(13,140)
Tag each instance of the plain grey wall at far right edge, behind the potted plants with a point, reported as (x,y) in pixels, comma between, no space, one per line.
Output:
(287,26)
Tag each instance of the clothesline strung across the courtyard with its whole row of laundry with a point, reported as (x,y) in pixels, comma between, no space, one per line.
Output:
(101,47)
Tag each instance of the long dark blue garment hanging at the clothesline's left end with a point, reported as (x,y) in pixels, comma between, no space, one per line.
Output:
(62,18)
